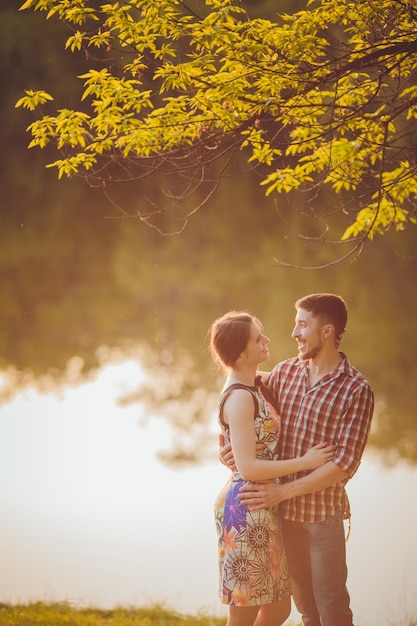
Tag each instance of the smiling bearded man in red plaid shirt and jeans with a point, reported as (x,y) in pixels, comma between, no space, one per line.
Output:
(320,397)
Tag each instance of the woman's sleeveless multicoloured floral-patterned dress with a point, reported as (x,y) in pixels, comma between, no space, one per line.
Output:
(252,561)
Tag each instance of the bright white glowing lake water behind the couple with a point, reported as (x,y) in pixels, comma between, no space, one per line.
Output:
(90,516)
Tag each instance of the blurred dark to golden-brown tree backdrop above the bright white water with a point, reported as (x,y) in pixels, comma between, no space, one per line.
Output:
(76,274)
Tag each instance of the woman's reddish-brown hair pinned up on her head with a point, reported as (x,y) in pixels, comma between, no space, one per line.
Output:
(229,336)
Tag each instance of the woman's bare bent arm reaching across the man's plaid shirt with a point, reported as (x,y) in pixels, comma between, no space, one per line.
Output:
(238,413)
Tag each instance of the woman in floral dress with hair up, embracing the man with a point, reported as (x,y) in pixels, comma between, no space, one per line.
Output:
(253,576)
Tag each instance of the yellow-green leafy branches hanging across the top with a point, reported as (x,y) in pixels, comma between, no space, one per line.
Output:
(323,98)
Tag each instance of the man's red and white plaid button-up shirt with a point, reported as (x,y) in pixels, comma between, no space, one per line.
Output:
(338,410)
